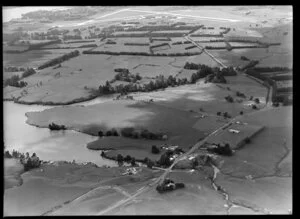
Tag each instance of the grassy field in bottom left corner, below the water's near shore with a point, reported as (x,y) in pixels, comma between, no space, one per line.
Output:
(43,190)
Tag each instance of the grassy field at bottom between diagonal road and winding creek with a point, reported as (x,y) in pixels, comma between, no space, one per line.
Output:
(198,190)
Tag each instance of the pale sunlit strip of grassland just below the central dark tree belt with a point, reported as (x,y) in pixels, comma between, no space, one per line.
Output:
(209,97)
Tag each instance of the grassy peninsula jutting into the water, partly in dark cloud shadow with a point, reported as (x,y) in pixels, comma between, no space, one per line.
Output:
(118,114)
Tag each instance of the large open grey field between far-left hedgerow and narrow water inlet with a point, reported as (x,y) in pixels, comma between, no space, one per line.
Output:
(78,78)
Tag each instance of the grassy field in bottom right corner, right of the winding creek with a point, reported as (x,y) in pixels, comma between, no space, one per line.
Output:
(271,195)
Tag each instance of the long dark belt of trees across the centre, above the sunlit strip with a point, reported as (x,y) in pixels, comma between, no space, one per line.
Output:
(214,75)
